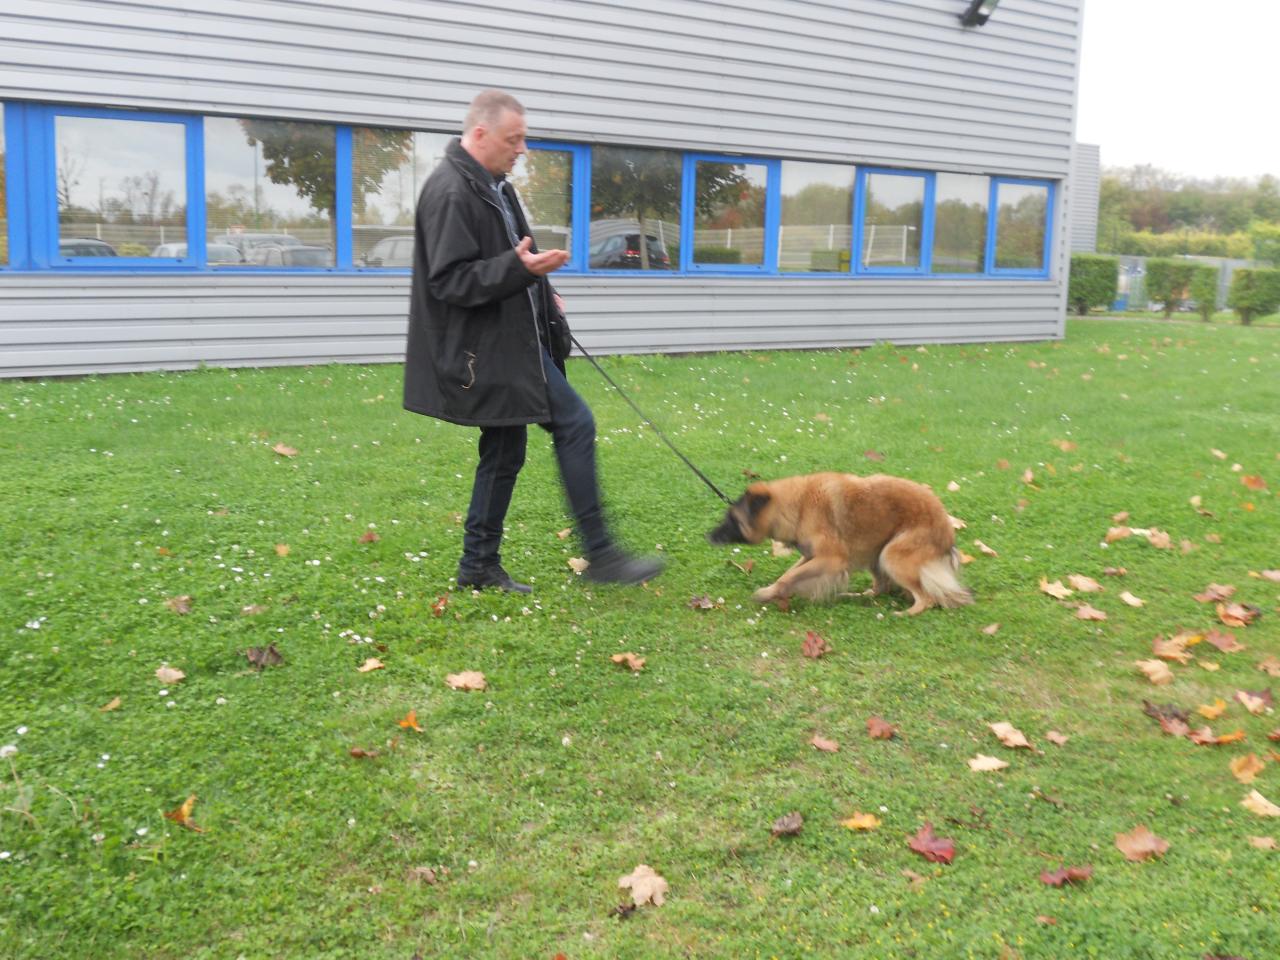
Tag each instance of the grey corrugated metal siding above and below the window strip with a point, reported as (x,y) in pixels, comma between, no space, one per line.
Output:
(894,83)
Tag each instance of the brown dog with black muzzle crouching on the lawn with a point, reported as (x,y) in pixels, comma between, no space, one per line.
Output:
(897,529)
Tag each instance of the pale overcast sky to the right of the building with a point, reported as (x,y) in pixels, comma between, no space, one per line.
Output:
(1185,85)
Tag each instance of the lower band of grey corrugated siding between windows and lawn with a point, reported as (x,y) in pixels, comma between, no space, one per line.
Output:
(54,326)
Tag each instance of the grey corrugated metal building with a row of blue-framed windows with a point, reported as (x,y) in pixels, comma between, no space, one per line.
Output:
(232,184)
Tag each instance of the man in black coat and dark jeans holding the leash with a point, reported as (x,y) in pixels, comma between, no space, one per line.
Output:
(488,341)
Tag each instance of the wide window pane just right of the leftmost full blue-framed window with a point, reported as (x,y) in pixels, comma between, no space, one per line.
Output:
(271,186)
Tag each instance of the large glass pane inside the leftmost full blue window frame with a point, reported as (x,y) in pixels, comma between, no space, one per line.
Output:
(122,188)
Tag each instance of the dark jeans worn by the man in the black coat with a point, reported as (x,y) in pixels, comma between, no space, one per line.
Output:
(502,455)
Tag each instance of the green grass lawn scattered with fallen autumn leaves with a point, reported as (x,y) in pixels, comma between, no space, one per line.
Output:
(532,799)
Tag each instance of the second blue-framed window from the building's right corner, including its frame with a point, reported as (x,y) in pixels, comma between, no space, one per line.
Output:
(893,249)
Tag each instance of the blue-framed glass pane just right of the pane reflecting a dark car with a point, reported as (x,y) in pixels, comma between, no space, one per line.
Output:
(729,200)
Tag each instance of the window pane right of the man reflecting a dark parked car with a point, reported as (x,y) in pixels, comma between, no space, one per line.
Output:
(636,193)
